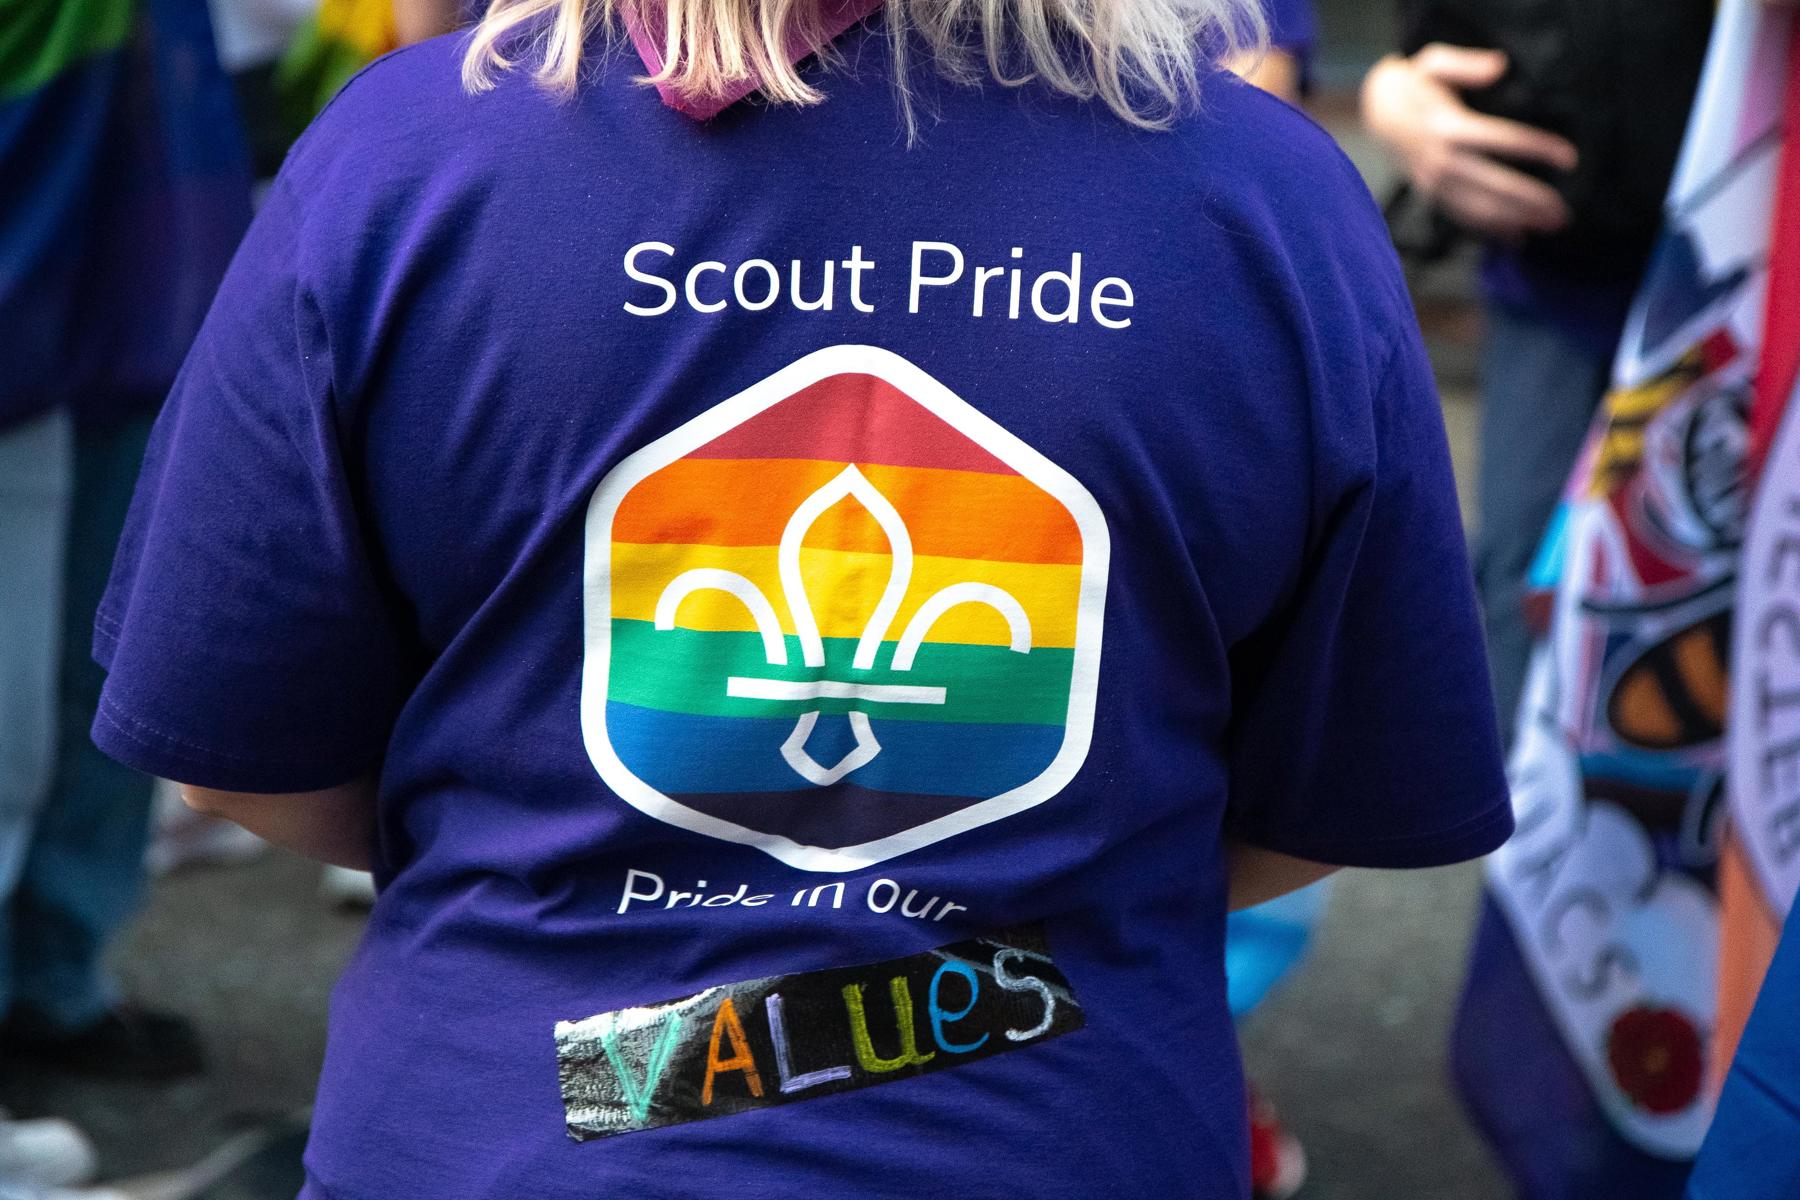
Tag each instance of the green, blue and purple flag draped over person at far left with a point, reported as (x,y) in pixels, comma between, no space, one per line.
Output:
(123,193)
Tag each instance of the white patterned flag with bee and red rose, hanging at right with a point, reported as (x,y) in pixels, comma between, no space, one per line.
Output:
(1585,1039)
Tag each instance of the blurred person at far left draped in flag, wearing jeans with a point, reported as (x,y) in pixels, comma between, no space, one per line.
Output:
(125,193)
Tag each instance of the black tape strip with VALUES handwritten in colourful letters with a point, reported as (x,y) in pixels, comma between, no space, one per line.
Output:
(786,1039)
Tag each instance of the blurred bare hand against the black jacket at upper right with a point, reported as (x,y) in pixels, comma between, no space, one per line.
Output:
(1453,154)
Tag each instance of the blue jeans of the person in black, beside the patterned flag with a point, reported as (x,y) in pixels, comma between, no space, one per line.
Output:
(1540,390)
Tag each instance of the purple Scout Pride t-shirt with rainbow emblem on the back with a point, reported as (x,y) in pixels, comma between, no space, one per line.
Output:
(818,611)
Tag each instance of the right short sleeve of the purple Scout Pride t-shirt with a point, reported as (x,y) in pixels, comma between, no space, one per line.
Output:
(1363,728)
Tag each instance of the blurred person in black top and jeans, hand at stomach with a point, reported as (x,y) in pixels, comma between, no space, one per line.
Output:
(1551,134)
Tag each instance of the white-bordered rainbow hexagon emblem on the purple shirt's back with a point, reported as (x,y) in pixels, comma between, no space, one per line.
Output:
(840,622)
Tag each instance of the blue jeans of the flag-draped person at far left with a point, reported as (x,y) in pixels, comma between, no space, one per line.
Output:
(73,823)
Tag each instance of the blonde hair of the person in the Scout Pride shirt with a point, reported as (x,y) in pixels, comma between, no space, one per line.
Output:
(1142,58)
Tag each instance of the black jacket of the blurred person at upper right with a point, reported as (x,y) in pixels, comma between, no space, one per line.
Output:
(1614,76)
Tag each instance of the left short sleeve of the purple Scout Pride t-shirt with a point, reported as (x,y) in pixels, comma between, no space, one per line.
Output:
(247,640)
